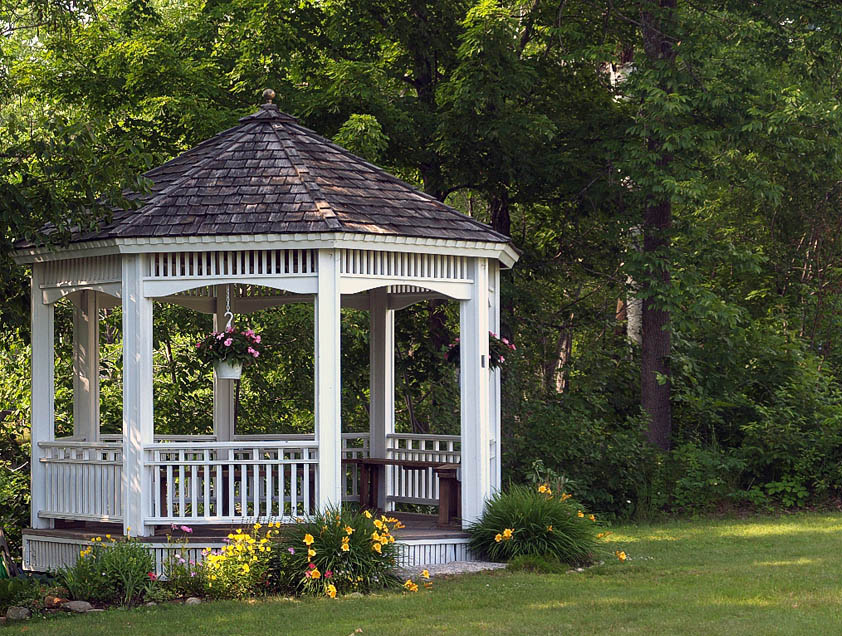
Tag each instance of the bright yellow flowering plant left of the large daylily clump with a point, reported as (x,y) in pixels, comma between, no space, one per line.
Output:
(240,569)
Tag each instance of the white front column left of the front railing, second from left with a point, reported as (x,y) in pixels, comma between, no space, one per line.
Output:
(138,426)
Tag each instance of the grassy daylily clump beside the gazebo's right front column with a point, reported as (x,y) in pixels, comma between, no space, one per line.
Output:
(535,521)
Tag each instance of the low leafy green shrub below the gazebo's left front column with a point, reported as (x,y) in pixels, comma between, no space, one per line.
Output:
(120,571)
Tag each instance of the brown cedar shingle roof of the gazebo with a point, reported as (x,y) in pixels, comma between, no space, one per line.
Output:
(269,175)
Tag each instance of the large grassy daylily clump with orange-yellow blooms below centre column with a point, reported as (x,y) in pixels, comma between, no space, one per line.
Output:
(337,552)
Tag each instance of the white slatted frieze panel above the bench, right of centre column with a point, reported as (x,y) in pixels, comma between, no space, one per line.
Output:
(403,265)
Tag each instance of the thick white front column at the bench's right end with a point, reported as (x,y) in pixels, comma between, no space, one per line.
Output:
(475,385)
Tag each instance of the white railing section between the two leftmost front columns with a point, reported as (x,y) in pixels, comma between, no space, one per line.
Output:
(83,480)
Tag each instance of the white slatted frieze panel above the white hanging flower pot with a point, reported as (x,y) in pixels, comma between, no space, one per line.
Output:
(252,263)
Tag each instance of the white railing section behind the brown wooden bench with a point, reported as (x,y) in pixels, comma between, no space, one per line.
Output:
(415,486)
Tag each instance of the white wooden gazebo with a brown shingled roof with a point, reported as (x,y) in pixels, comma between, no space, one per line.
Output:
(265,213)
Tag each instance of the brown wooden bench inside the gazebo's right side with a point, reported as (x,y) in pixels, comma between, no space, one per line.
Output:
(371,474)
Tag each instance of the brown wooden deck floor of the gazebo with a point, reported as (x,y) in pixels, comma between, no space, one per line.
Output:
(417,527)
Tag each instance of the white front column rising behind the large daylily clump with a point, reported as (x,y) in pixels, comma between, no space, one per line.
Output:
(328,383)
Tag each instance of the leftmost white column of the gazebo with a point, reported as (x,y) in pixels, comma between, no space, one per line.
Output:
(43,393)
